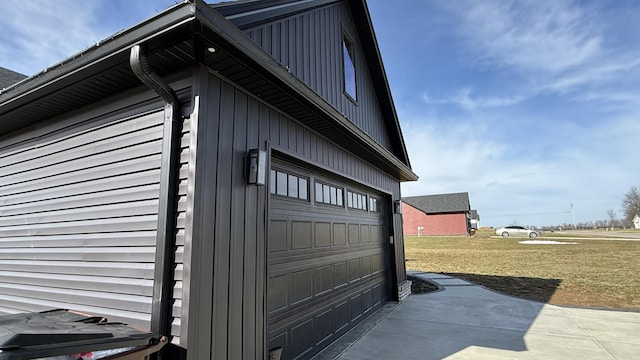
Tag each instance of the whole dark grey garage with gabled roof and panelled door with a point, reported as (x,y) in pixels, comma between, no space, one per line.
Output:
(135,179)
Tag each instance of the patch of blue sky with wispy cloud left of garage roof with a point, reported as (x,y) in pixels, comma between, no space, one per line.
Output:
(36,34)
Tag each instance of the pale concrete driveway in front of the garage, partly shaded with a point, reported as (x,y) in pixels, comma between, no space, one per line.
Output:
(467,321)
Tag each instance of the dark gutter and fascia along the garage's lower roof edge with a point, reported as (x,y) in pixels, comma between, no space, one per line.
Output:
(87,63)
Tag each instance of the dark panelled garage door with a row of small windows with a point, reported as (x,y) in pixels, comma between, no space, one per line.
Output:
(328,258)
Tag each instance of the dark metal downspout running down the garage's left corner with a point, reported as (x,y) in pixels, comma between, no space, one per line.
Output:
(161,316)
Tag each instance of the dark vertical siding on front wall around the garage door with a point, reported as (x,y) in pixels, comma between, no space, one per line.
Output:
(226,220)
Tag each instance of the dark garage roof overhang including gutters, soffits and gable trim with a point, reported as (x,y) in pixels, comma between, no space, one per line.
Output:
(177,38)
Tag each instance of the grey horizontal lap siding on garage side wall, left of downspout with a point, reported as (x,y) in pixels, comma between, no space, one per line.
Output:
(78,218)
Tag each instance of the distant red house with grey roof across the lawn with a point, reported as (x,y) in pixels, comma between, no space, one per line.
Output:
(443,214)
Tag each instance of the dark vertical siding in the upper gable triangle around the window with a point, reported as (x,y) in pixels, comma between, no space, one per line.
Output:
(310,45)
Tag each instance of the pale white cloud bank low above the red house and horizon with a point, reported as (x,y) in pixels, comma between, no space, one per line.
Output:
(590,167)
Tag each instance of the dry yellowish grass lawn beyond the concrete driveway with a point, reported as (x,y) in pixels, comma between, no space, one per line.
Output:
(601,273)
